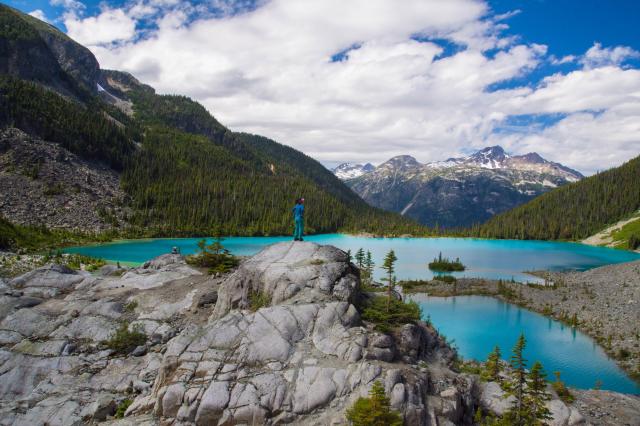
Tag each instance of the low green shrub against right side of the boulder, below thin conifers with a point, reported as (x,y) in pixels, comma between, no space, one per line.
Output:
(386,313)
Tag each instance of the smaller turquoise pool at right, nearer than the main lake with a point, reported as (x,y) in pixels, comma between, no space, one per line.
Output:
(478,323)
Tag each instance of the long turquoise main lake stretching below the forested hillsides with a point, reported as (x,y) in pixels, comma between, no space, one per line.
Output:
(492,259)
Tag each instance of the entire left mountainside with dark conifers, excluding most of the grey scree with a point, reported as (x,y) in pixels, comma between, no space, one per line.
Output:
(184,173)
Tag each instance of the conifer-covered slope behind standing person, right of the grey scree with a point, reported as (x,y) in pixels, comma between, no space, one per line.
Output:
(194,176)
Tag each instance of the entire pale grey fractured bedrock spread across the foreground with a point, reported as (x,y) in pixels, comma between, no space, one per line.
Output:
(303,359)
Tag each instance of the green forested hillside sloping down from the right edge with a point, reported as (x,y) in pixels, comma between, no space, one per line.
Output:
(572,212)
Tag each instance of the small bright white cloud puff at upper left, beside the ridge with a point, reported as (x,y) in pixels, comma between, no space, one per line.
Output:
(109,26)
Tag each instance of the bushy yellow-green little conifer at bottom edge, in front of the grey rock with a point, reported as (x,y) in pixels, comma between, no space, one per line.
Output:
(374,410)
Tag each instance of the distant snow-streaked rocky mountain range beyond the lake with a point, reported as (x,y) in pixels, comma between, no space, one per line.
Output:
(456,192)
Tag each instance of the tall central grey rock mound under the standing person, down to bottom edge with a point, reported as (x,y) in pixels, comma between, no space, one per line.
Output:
(303,359)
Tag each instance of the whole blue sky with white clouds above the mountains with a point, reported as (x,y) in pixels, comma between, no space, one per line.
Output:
(368,79)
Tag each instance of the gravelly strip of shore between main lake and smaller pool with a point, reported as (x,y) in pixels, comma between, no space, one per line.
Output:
(557,301)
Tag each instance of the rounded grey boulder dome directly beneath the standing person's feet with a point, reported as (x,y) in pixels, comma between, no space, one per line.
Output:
(283,271)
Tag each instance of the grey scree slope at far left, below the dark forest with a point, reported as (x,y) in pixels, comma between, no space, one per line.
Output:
(45,184)
